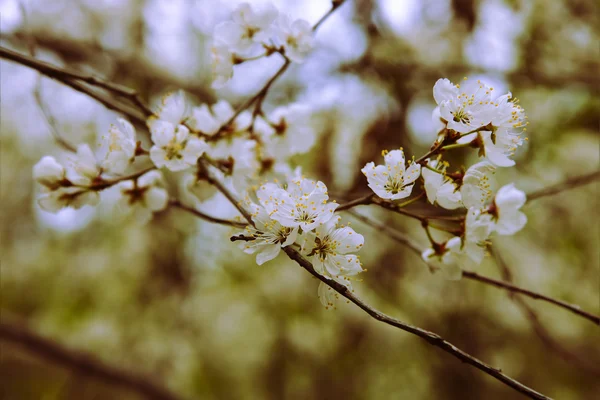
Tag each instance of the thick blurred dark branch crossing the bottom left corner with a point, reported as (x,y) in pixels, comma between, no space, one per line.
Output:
(83,363)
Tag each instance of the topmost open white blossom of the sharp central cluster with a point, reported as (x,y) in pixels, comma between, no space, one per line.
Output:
(303,204)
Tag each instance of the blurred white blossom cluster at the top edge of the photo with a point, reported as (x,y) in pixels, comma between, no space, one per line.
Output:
(254,33)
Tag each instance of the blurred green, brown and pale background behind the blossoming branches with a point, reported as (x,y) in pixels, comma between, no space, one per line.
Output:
(177,301)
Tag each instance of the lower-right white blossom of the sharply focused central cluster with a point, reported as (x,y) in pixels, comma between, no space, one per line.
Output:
(330,251)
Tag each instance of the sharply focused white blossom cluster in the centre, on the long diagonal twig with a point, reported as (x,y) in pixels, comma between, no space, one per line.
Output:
(300,214)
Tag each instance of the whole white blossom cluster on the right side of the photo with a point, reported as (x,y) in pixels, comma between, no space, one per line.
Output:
(470,116)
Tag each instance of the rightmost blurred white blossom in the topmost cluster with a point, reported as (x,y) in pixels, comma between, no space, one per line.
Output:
(296,37)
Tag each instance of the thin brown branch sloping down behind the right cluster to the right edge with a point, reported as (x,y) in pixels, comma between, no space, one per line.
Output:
(405,240)
